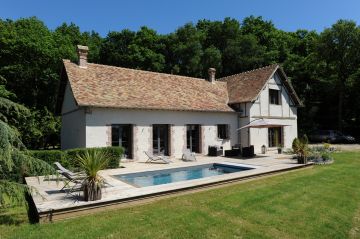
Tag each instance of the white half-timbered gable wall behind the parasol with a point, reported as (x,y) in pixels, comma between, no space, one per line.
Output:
(284,113)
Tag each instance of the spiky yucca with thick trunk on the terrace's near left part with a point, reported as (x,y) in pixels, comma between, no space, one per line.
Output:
(91,162)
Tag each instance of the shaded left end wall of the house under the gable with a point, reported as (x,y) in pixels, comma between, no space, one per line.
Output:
(72,122)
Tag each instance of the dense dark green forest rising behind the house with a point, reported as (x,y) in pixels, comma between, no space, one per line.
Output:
(324,67)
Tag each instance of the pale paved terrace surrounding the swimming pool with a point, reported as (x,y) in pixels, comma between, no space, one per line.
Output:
(49,199)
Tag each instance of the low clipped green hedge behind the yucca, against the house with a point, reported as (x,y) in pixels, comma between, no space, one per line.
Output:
(68,157)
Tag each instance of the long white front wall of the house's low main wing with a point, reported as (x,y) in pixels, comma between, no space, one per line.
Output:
(98,121)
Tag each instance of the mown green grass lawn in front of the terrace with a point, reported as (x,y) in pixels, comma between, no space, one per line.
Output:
(319,202)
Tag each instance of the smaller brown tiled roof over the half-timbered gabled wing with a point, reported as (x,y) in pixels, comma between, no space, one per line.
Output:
(246,86)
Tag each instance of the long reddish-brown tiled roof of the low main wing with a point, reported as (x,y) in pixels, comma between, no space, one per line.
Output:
(116,87)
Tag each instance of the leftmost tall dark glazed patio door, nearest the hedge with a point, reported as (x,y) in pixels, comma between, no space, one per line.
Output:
(121,135)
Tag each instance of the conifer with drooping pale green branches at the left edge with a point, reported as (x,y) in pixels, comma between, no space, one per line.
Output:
(14,162)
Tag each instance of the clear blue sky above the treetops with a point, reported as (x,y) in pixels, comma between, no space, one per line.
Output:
(165,16)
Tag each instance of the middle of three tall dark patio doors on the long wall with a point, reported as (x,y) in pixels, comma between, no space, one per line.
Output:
(161,139)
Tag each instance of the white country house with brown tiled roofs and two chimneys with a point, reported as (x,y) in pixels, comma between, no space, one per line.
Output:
(104,105)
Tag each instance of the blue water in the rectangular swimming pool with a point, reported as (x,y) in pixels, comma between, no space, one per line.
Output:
(158,177)
